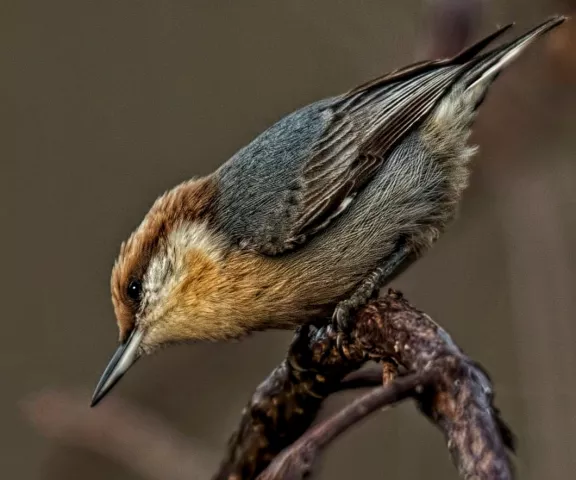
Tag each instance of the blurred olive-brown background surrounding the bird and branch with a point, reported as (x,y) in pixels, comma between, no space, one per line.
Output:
(106,104)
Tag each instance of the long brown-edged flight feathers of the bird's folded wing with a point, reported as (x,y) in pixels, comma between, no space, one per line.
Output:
(357,142)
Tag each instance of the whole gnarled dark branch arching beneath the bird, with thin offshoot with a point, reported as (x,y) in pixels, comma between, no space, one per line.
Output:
(456,395)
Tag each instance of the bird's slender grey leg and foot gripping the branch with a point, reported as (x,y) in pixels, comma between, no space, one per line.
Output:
(370,287)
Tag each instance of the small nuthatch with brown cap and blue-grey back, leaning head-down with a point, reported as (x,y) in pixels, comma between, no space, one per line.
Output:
(312,218)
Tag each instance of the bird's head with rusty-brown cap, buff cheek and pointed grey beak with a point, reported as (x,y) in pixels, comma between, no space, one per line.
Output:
(168,280)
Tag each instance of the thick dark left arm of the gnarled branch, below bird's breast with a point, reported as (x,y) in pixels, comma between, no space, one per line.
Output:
(286,403)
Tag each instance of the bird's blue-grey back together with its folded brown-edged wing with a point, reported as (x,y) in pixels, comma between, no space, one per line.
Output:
(304,171)
